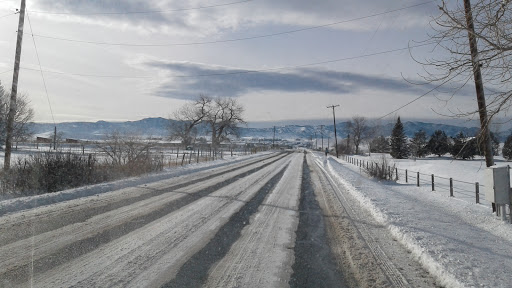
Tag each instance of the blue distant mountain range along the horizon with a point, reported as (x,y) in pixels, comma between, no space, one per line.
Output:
(157,127)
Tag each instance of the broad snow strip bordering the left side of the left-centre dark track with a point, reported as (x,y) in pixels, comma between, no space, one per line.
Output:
(152,255)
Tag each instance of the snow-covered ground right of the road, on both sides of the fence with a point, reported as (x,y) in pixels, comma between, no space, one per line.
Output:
(461,243)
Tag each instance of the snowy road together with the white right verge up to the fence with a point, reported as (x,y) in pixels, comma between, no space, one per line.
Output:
(274,219)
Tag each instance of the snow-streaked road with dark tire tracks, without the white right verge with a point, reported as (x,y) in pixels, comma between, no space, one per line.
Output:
(275,220)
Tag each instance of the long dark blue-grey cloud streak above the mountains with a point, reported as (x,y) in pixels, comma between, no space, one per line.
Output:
(225,81)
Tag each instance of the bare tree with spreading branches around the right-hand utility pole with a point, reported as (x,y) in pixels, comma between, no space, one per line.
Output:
(474,37)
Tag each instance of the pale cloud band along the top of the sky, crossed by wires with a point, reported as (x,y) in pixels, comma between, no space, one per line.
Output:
(204,22)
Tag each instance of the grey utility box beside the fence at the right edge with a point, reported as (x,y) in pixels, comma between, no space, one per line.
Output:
(497,185)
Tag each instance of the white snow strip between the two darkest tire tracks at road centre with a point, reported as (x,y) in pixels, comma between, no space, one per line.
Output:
(263,255)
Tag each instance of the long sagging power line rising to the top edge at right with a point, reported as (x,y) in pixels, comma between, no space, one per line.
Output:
(233,39)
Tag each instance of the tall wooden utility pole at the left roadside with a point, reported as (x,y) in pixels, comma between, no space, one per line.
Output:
(14,89)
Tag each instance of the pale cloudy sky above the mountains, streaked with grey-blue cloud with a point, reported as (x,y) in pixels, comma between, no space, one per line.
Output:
(271,76)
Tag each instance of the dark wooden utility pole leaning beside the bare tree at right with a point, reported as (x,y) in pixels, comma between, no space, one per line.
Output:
(477,75)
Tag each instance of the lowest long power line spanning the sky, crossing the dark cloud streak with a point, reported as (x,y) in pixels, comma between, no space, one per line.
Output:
(241,71)
